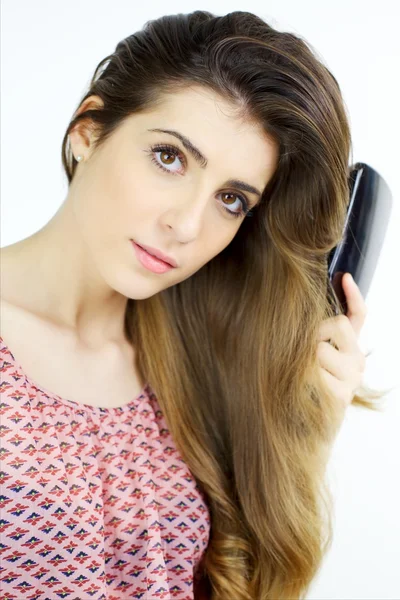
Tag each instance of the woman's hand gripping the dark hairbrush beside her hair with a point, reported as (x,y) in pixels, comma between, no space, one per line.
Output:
(342,367)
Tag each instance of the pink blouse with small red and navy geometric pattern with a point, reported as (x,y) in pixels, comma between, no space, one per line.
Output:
(95,503)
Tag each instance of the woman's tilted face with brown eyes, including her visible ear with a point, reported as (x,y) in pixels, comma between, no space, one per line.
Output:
(146,186)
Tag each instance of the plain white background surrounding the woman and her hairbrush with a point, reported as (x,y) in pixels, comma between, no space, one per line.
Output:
(49,50)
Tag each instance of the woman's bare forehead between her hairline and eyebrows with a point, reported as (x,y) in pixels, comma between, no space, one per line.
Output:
(229,143)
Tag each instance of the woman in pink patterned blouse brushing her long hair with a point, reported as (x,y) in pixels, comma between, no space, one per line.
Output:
(210,482)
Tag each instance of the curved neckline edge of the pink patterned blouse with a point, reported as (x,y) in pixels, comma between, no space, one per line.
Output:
(73,403)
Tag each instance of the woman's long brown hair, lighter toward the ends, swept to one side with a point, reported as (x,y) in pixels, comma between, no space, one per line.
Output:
(230,352)
